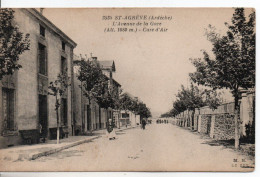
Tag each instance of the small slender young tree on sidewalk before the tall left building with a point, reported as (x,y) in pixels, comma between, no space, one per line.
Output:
(57,89)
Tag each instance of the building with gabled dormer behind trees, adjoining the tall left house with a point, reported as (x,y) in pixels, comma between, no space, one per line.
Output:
(89,116)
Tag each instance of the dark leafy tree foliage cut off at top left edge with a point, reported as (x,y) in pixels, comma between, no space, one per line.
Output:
(12,43)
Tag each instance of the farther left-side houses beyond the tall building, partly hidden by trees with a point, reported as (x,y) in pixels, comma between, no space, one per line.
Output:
(89,116)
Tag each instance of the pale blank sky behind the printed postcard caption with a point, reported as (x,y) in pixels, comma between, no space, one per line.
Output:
(149,65)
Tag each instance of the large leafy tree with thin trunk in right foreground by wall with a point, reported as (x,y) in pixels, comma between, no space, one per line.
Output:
(233,65)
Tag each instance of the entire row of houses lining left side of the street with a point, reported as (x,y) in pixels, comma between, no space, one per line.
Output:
(25,106)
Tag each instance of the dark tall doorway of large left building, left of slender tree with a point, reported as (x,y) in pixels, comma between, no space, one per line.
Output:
(43,115)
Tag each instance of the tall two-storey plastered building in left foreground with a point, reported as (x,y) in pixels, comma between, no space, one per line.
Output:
(25,104)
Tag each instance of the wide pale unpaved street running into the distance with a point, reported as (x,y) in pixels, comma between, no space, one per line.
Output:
(160,147)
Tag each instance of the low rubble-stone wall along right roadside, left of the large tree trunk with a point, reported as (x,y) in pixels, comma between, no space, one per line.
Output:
(218,124)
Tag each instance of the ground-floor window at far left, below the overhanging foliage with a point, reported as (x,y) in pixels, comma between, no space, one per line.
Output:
(8,108)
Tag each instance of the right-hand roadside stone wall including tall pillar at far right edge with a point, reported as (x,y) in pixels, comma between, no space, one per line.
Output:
(219,123)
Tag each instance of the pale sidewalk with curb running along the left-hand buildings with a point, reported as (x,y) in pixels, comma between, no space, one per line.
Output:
(32,152)
